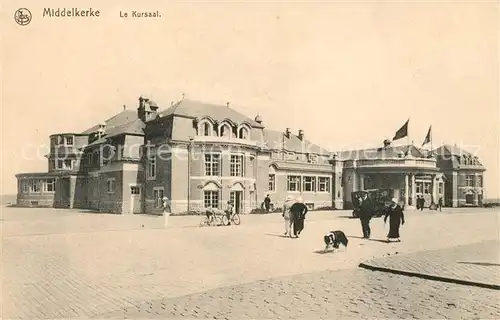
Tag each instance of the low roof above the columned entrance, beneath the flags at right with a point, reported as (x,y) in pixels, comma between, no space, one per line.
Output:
(382,152)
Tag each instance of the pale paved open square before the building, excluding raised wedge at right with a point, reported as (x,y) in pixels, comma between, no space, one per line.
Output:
(62,264)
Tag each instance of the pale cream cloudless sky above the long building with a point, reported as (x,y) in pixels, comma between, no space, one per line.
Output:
(348,74)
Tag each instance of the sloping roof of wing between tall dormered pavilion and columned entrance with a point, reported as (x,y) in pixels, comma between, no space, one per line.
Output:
(274,140)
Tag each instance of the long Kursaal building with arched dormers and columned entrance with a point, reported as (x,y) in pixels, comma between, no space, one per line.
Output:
(200,155)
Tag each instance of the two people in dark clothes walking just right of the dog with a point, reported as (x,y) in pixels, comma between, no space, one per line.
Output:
(394,212)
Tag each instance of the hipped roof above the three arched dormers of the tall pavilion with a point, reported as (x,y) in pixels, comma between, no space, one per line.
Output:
(198,109)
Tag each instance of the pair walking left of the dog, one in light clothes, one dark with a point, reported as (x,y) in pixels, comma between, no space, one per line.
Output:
(294,213)
